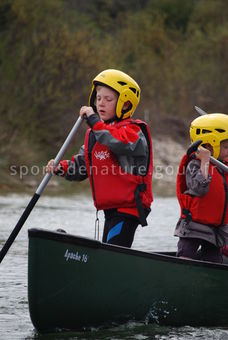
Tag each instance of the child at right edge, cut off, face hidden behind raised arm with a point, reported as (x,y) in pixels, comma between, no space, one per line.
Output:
(202,191)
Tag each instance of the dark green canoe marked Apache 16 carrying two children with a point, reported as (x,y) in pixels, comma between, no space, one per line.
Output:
(78,283)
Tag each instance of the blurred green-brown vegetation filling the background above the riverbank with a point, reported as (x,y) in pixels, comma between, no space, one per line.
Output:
(50,50)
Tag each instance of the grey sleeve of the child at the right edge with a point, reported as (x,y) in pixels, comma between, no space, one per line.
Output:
(196,183)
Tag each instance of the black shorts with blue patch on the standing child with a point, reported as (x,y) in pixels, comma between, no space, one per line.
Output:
(119,228)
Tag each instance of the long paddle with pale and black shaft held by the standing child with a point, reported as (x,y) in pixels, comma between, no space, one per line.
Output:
(38,192)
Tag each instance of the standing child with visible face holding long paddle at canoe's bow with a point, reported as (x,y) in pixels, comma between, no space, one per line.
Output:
(116,156)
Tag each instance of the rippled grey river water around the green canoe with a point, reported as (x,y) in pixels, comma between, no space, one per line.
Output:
(76,215)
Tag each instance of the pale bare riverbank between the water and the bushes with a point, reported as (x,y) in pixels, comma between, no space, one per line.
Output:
(166,157)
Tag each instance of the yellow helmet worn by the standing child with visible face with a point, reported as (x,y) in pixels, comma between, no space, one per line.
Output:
(124,85)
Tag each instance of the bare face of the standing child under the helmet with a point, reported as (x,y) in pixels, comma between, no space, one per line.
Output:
(106,100)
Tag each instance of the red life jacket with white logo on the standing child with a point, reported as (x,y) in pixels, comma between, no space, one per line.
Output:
(112,187)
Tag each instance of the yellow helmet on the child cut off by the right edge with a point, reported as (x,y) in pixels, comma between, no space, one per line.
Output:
(212,129)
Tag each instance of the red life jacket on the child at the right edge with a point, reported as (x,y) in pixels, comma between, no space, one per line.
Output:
(209,209)
